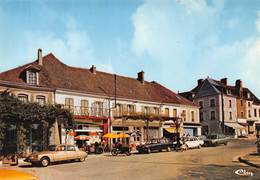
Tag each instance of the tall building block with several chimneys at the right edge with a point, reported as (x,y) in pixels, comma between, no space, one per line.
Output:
(224,108)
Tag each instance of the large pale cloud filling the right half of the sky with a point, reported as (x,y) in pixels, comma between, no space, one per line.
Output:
(187,39)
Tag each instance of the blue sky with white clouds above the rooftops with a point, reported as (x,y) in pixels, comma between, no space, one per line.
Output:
(175,42)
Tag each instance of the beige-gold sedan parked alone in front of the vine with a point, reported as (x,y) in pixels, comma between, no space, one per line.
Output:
(57,153)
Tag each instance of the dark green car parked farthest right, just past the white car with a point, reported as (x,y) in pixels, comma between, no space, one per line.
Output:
(216,139)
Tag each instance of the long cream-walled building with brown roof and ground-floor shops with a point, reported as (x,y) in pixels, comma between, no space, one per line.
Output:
(101,102)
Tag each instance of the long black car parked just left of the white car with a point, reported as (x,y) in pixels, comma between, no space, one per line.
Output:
(155,145)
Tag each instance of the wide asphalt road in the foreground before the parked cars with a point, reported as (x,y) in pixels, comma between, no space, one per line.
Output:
(205,163)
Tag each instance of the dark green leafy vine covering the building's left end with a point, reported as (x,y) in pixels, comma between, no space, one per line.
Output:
(23,115)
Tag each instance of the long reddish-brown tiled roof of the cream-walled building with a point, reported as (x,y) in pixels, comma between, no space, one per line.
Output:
(55,74)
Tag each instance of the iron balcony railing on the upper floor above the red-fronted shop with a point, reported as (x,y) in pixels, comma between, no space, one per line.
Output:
(88,111)
